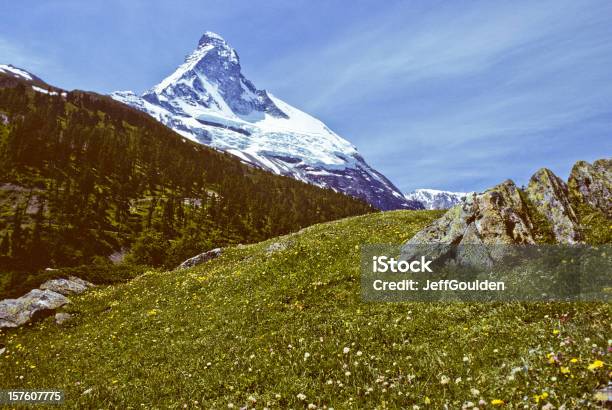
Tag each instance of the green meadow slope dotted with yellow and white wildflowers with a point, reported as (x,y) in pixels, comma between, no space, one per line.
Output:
(237,329)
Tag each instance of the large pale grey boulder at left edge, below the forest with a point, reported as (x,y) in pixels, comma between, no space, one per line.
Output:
(16,312)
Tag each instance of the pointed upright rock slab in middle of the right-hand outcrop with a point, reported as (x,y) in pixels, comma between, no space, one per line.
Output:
(550,196)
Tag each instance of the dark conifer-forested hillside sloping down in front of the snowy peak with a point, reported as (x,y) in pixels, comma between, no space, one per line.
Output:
(84,177)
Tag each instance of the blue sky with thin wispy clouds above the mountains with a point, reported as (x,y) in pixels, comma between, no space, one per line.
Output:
(455,95)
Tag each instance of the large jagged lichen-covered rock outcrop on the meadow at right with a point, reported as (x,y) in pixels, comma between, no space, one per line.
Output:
(506,215)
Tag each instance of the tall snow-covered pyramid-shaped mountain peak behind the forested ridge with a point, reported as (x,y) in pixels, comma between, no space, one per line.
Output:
(207,99)
